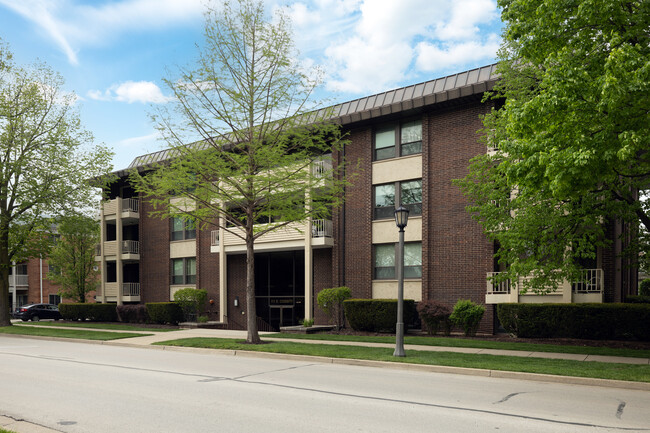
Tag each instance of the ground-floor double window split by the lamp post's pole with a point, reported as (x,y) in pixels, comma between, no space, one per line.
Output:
(385,261)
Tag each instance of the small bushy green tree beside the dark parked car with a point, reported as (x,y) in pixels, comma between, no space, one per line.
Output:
(73,257)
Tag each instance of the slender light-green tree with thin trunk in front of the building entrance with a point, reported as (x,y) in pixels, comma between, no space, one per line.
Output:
(246,107)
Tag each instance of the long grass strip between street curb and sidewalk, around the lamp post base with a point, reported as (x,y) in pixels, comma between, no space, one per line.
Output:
(599,370)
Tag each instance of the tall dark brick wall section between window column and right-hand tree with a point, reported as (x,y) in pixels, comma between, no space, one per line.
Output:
(458,254)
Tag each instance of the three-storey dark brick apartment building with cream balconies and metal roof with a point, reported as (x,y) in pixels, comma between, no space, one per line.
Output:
(411,142)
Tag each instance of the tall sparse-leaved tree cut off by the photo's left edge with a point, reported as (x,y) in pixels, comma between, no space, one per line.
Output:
(46,158)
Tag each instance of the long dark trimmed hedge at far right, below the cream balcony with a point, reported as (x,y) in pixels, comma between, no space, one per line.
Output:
(584,321)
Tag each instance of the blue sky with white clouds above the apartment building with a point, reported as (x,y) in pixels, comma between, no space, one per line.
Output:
(114,54)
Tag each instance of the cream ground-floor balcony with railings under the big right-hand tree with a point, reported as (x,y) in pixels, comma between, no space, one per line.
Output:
(588,288)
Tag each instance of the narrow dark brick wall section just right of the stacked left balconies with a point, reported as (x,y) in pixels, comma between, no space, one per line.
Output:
(154,256)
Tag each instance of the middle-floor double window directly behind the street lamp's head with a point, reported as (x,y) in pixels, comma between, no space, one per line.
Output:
(410,196)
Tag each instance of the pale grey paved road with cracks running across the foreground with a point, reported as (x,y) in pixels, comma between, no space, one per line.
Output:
(77,387)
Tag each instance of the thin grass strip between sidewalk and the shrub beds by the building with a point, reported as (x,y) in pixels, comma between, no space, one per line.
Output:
(474,343)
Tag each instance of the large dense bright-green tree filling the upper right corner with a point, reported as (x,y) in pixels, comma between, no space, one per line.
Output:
(571,134)
